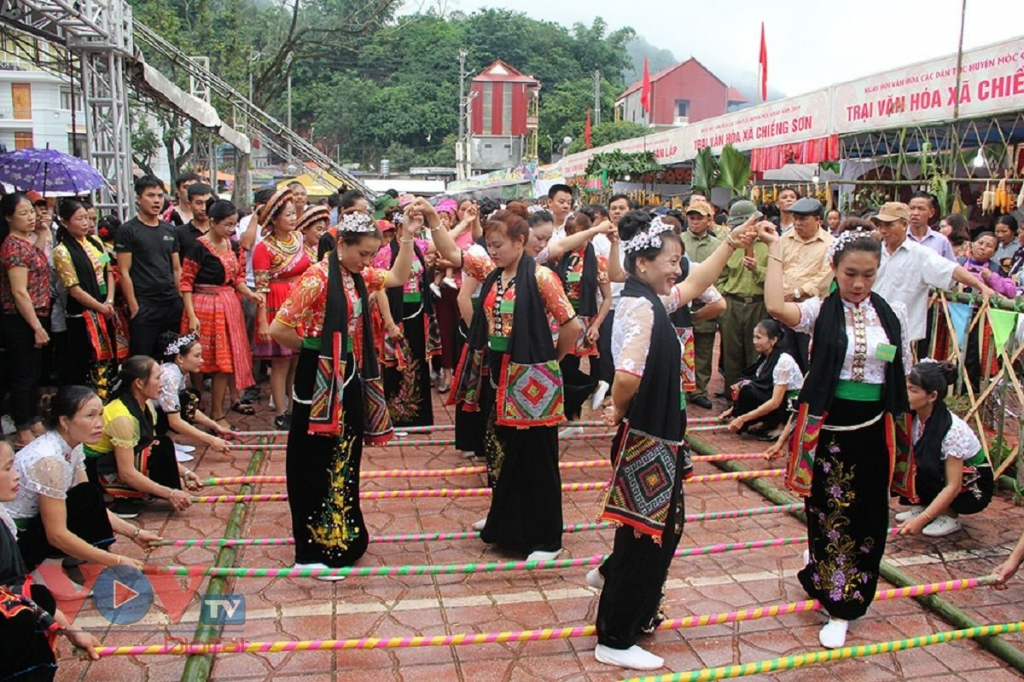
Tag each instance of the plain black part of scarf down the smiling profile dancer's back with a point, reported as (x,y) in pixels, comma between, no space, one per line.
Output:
(656,408)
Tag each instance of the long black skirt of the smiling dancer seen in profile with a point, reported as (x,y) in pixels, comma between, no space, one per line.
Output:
(636,571)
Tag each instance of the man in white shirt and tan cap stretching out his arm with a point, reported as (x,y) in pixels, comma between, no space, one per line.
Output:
(909,270)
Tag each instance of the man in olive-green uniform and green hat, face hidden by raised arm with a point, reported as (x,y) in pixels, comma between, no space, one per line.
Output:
(742,283)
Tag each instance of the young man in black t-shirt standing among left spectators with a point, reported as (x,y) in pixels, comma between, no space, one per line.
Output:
(151,271)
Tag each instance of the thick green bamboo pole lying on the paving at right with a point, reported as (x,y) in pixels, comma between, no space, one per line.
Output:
(954,615)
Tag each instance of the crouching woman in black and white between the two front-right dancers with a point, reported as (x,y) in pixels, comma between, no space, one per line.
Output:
(764,391)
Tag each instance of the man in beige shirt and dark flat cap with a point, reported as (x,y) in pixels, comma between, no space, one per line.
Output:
(805,267)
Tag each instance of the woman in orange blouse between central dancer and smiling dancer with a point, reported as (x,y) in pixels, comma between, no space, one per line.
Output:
(584,275)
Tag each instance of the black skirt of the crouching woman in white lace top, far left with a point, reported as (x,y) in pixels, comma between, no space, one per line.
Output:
(88,519)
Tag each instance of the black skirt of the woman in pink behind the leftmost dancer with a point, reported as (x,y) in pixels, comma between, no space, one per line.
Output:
(408,392)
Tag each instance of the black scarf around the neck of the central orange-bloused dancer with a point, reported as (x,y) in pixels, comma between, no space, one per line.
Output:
(531,340)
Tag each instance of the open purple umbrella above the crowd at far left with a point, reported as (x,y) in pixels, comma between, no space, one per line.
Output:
(49,172)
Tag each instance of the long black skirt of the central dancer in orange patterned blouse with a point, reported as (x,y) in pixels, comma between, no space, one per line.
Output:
(526,510)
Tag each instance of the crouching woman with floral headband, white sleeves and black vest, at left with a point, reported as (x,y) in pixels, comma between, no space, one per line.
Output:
(178,407)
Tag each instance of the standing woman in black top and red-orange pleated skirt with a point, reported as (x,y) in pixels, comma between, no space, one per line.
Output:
(212,276)
